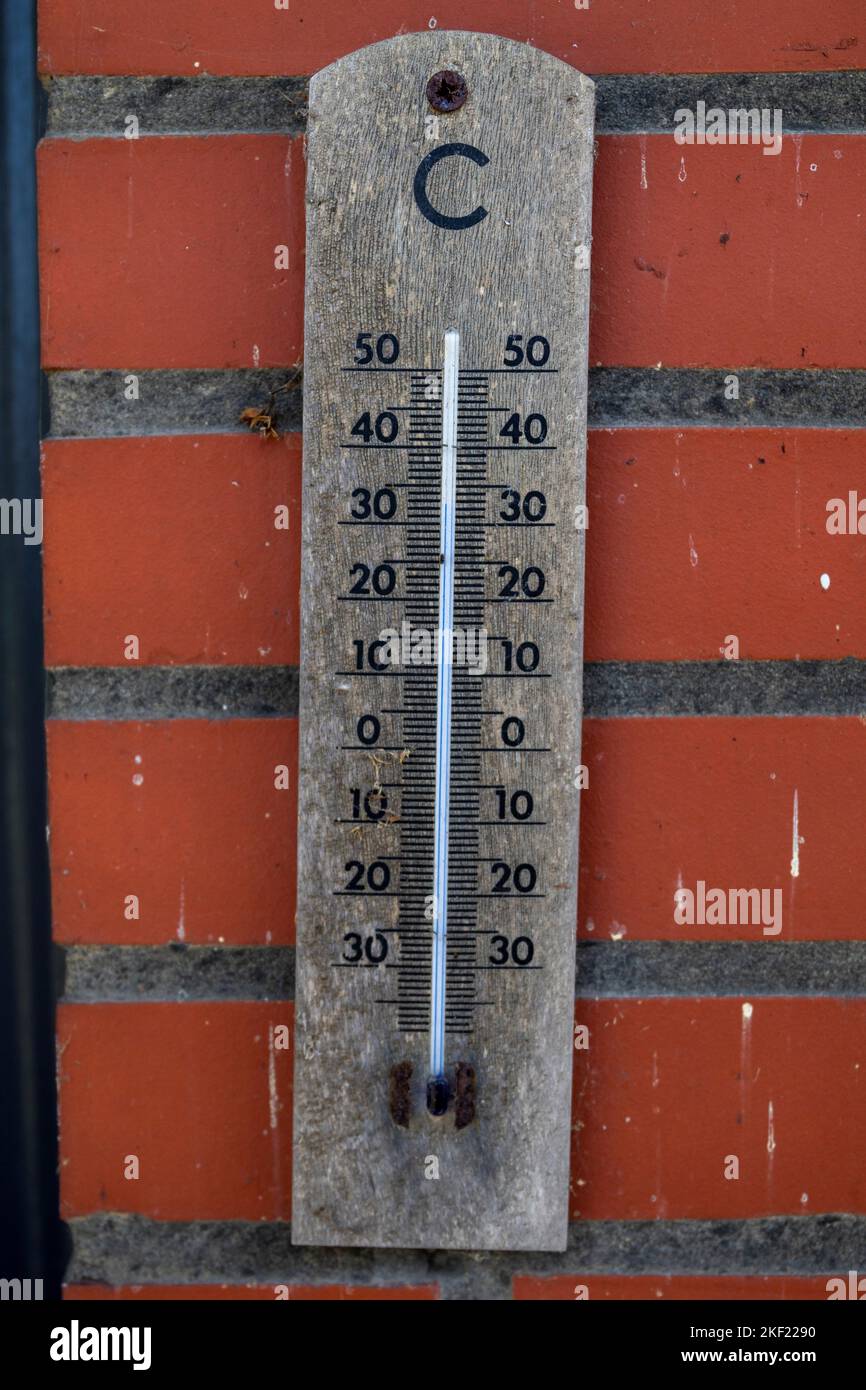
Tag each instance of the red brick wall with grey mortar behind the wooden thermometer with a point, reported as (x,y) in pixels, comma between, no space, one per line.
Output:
(173,851)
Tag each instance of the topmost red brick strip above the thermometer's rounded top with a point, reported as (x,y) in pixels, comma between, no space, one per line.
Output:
(193,37)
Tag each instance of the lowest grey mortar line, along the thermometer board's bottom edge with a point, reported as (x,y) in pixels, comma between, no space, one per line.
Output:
(119,1249)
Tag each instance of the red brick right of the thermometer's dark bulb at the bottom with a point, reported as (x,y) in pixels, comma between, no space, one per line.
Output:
(669,1088)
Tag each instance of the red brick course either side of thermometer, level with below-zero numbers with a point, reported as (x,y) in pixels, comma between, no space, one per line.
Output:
(184,833)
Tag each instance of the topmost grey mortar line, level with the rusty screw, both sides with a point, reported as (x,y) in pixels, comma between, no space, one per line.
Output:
(81,108)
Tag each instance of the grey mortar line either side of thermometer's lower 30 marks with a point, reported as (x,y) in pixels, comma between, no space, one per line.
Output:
(605,971)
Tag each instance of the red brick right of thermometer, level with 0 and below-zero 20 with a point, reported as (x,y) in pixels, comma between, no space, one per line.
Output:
(672,801)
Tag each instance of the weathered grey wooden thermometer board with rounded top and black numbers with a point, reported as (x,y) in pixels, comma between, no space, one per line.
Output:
(475,220)
